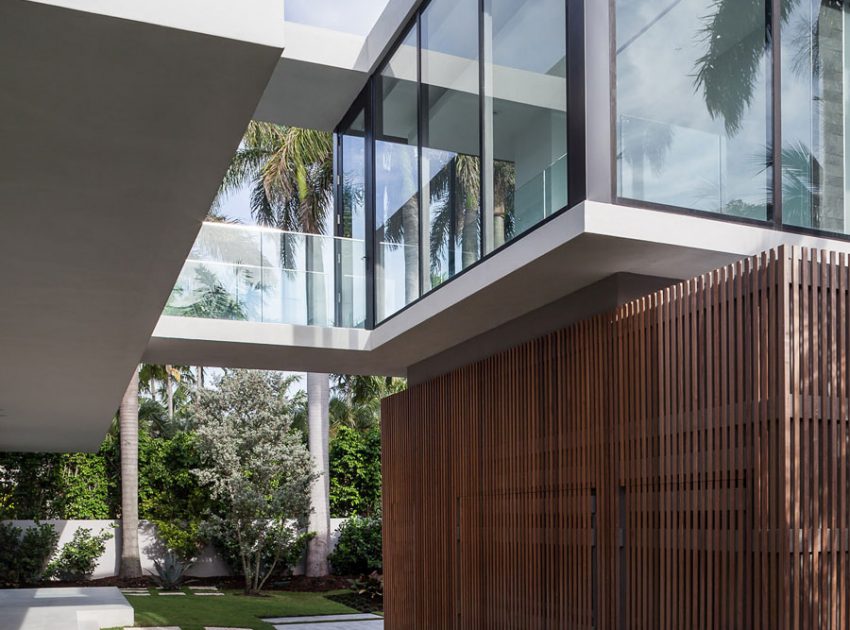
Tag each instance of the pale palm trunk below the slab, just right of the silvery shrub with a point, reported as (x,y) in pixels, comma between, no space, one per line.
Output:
(318,397)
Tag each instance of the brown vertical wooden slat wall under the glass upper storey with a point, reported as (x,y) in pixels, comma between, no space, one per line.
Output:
(680,463)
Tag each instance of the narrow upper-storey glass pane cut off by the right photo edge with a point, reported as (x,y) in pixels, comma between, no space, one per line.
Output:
(814,109)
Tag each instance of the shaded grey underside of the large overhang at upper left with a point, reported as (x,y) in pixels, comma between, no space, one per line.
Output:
(115,135)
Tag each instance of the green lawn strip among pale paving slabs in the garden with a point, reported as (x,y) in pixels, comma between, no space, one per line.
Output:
(192,612)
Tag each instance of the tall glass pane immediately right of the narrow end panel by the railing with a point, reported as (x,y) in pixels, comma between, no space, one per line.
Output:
(396,182)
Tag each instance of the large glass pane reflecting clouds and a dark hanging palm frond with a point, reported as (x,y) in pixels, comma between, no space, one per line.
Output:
(693,104)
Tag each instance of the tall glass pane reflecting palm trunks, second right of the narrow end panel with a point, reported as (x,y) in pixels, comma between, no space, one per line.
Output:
(451,165)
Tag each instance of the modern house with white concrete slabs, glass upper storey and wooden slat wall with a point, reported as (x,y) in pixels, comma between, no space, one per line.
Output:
(522,191)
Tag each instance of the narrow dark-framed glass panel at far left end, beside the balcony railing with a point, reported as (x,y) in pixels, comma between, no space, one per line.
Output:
(351,252)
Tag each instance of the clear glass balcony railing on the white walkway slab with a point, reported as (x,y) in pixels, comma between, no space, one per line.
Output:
(266,275)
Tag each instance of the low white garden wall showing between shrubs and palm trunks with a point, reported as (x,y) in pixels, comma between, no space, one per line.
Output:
(208,564)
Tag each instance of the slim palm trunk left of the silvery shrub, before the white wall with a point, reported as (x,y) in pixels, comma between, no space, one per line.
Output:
(128,420)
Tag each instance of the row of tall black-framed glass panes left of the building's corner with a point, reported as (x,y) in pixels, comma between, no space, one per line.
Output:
(470,141)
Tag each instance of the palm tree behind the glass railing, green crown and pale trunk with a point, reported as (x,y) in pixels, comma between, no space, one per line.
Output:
(290,171)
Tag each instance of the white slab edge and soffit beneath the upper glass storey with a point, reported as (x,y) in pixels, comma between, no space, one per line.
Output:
(582,246)
